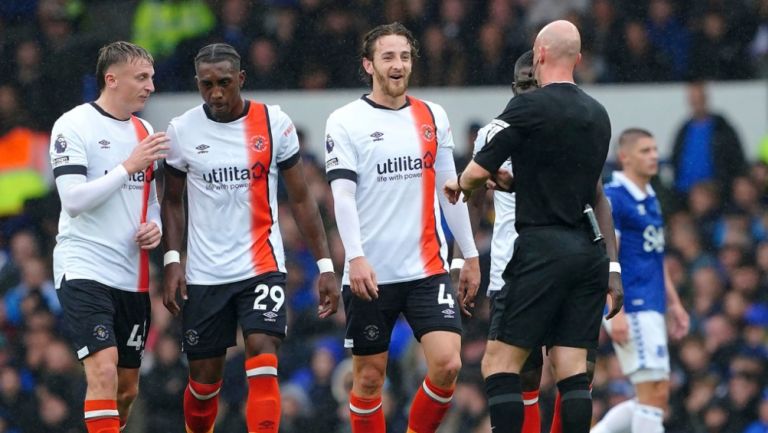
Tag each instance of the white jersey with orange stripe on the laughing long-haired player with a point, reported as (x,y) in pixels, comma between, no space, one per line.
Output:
(391,155)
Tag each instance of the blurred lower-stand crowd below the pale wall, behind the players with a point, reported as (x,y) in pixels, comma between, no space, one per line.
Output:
(717,253)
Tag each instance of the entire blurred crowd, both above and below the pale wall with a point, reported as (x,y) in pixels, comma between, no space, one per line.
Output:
(717,217)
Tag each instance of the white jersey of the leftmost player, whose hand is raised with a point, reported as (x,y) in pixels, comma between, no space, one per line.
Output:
(99,244)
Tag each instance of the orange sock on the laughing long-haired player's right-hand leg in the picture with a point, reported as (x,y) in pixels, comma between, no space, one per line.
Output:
(429,407)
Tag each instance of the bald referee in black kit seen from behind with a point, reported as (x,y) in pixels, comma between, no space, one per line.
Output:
(555,285)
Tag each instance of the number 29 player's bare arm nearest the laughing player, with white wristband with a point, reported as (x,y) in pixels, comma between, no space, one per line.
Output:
(308,219)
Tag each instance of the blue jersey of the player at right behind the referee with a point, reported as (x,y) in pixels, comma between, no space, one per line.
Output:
(639,225)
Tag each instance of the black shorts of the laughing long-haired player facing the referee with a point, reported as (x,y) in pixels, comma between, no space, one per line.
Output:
(428,305)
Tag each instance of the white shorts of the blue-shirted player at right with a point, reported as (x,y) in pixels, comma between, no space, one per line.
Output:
(645,357)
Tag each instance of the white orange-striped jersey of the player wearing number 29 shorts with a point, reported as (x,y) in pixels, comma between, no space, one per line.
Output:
(231,171)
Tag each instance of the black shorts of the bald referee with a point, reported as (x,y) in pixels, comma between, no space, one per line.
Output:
(554,291)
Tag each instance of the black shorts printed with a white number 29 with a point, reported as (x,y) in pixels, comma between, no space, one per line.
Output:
(211,313)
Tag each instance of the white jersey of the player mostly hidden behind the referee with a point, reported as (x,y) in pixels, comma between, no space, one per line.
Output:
(504,233)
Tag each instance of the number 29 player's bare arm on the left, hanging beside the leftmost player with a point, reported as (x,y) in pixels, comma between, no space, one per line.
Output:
(172,213)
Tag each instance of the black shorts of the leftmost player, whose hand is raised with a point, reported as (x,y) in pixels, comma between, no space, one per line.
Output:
(97,316)
